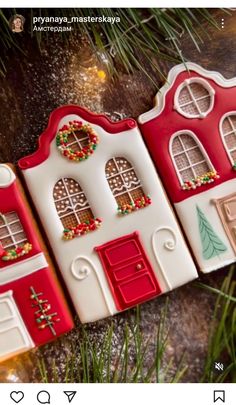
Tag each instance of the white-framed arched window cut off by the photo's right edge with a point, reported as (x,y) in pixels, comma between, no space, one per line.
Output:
(228,134)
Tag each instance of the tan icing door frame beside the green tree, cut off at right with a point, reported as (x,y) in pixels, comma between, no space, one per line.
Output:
(220,205)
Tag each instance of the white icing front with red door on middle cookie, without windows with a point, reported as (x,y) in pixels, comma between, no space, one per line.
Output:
(145,244)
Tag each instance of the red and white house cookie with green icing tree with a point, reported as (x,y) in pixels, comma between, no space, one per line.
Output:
(191,135)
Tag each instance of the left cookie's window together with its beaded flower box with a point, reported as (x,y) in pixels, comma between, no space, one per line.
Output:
(13,241)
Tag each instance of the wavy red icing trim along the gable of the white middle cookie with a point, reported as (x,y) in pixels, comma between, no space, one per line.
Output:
(49,134)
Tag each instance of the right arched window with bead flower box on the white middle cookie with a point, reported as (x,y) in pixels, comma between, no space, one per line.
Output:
(125,185)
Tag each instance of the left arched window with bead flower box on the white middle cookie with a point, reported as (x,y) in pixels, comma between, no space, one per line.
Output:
(73,209)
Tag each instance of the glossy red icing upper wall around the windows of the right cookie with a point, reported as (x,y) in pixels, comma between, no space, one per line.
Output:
(157,133)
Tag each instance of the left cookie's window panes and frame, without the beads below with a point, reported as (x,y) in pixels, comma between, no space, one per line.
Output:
(12,234)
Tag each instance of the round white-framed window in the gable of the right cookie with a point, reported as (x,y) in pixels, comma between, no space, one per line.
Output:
(194,98)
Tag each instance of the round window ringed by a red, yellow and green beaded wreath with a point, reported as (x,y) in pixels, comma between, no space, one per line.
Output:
(77,141)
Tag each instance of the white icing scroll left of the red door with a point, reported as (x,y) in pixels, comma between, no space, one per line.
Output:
(81,268)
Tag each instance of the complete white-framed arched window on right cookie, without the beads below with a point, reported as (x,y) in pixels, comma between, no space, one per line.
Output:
(188,156)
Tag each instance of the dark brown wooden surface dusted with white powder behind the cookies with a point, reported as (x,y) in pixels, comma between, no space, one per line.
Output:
(32,88)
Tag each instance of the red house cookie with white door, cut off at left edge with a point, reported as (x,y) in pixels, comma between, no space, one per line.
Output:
(32,307)
